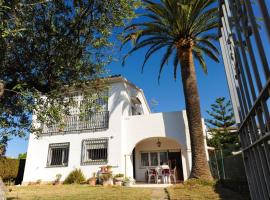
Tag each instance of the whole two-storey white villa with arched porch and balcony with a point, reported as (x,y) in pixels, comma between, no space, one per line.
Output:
(125,135)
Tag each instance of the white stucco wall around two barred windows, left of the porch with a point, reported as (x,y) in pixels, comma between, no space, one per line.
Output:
(37,153)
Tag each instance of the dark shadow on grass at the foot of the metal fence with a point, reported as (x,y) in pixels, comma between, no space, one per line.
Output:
(232,190)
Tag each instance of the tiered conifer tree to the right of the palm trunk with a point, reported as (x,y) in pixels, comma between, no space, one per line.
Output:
(221,126)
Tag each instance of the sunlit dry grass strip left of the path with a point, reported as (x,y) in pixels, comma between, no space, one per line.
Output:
(80,192)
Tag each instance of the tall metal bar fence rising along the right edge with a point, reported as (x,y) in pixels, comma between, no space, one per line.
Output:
(245,44)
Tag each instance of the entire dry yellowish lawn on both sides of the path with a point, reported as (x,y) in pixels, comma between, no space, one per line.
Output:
(190,190)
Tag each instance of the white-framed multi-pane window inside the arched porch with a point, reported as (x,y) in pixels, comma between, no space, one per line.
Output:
(153,158)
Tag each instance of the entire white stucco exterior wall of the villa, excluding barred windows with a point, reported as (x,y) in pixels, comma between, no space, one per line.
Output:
(124,133)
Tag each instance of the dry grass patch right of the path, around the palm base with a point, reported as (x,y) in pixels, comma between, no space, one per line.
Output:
(202,190)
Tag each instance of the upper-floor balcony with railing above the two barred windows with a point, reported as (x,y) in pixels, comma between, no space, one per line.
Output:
(93,122)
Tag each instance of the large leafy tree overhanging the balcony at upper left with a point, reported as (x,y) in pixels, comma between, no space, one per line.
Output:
(59,43)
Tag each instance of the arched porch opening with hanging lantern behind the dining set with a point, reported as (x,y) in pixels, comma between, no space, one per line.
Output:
(154,152)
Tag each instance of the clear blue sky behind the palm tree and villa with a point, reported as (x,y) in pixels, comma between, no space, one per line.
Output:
(168,94)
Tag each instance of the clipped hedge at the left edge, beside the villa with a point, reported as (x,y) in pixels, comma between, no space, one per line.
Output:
(9,168)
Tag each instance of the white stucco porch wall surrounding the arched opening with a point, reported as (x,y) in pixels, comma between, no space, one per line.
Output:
(172,125)
